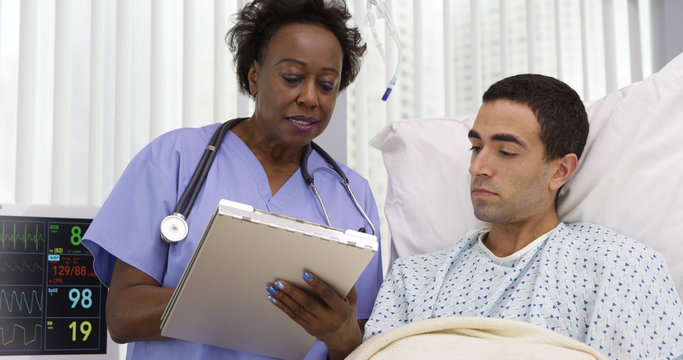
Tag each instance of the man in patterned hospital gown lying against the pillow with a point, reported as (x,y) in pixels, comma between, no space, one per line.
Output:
(580,280)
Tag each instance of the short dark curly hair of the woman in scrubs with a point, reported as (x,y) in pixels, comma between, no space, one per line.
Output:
(259,20)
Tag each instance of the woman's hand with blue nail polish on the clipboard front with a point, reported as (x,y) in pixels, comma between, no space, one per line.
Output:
(331,319)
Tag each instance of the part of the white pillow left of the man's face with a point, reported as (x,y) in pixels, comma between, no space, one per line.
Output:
(428,204)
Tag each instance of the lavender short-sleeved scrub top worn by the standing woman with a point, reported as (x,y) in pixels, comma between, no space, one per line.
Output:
(128,225)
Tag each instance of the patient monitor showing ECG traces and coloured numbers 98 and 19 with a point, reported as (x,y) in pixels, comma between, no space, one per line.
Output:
(51,301)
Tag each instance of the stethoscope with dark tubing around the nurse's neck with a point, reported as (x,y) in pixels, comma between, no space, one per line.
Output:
(174,228)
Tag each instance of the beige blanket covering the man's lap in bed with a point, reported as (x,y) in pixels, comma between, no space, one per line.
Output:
(472,338)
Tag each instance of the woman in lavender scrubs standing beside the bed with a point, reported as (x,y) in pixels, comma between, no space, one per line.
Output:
(292,58)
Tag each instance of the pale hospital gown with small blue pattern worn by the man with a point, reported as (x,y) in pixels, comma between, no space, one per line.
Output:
(580,280)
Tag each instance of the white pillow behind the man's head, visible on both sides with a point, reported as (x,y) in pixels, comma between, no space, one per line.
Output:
(628,179)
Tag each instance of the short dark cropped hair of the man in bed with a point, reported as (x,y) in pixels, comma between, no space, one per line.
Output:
(558,108)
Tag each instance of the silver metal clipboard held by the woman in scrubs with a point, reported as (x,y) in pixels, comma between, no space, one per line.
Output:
(221,298)
